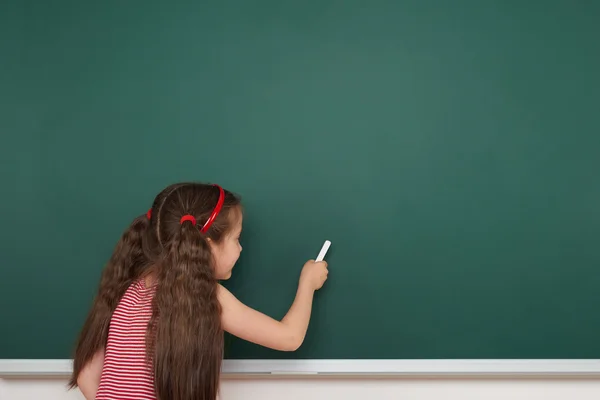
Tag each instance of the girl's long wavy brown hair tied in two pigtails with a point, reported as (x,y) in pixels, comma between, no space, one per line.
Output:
(184,341)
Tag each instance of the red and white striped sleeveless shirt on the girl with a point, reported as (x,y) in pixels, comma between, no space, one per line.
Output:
(126,374)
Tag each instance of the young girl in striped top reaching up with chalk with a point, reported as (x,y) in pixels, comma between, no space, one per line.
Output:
(155,329)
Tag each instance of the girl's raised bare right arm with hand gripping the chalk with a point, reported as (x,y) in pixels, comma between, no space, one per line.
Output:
(285,335)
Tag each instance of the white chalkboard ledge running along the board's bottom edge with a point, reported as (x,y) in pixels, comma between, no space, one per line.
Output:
(340,368)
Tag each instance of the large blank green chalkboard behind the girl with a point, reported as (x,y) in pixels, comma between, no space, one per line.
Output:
(450,150)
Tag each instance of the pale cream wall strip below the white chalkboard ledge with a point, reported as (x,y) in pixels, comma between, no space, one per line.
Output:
(371,389)
